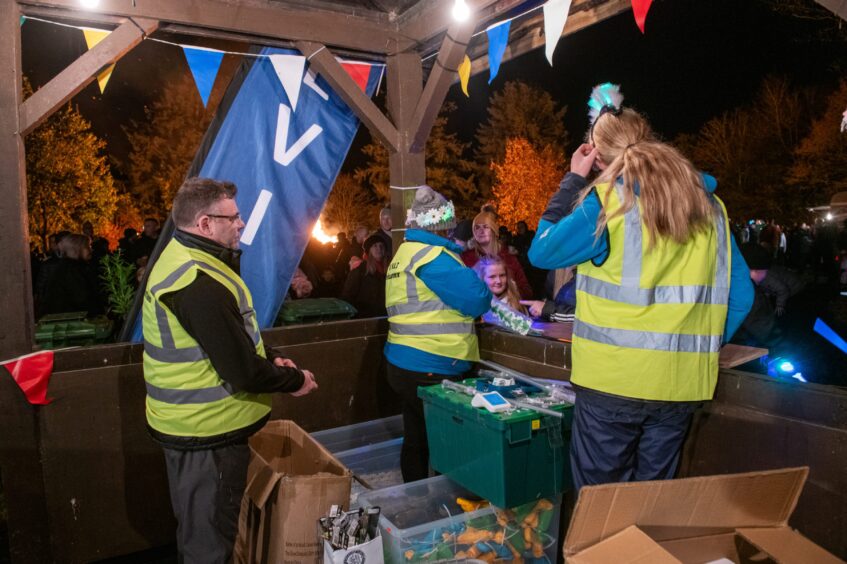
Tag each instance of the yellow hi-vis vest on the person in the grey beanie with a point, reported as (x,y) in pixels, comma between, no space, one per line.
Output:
(417,317)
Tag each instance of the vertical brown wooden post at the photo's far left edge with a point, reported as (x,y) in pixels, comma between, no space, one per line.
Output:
(16,330)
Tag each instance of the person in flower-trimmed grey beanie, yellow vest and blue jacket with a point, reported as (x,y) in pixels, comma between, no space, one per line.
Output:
(432,300)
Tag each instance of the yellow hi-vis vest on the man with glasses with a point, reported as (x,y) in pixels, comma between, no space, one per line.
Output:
(185,395)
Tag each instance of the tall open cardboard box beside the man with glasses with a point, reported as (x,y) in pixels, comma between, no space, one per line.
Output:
(292,481)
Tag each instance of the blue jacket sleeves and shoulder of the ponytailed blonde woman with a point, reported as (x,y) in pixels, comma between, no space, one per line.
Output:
(566,238)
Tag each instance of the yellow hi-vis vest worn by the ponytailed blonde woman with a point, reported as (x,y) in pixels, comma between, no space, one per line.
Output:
(649,325)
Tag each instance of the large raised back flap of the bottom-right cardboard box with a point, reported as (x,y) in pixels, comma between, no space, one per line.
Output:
(727,502)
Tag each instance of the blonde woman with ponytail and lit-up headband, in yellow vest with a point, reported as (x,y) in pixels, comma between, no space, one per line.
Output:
(660,286)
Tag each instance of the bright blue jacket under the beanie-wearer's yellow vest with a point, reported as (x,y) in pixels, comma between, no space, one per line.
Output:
(458,287)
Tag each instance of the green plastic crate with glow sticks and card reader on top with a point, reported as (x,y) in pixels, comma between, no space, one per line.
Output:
(507,458)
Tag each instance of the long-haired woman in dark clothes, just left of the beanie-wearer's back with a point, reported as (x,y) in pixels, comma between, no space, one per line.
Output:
(365,285)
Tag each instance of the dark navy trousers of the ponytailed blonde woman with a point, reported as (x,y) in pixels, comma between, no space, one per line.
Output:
(617,439)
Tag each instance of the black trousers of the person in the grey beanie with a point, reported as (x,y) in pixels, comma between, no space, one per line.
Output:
(414,456)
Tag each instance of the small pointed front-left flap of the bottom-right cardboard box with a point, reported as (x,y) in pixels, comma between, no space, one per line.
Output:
(630,546)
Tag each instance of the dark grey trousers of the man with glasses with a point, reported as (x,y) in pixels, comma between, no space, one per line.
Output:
(206,487)
